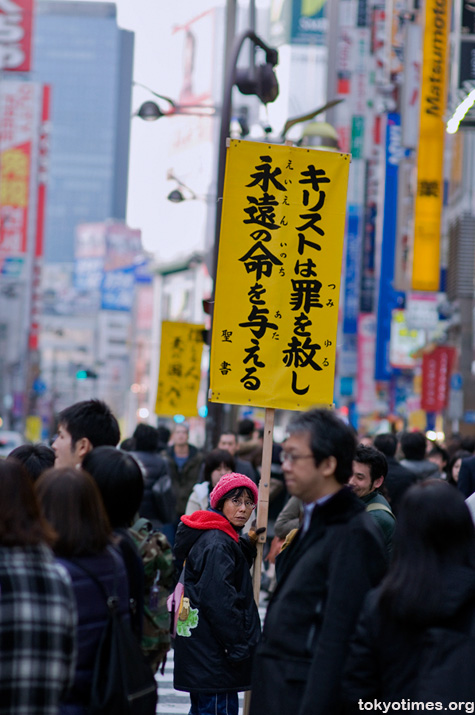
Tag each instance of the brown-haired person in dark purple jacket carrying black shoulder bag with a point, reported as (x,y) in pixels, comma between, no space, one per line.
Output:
(73,506)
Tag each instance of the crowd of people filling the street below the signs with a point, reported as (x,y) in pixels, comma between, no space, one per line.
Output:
(370,565)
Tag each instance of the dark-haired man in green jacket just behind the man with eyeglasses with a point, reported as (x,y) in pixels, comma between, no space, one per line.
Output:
(369,471)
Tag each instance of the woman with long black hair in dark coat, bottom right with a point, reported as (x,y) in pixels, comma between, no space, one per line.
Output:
(431,583)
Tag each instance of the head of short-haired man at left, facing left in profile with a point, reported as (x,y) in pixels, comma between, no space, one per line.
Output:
(82,427)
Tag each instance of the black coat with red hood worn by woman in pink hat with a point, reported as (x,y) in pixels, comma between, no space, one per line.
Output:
(217,654)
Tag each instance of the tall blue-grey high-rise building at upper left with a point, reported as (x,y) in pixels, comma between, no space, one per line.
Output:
(87,59)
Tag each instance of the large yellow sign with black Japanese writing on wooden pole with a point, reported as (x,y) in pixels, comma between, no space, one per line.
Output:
(278,283)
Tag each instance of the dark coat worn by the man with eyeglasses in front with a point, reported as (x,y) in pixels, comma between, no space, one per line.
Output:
(323,578)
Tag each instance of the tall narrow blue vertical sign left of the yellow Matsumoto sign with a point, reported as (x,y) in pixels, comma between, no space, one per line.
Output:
(389,298)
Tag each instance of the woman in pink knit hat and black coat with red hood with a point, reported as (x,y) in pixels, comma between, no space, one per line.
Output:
(214,646)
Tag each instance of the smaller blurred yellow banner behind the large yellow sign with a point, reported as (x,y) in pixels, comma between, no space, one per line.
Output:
(180,369)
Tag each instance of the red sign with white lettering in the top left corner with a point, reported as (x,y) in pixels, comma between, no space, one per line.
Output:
(16,19)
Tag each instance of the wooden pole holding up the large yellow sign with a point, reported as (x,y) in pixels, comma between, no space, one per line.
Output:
(262,515)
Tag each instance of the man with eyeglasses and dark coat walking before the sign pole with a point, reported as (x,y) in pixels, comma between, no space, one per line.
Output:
(336,556)
